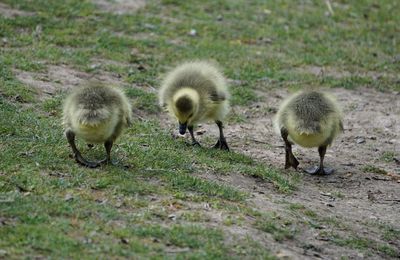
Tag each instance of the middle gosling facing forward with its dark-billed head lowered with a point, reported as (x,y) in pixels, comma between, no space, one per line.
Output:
(195,92)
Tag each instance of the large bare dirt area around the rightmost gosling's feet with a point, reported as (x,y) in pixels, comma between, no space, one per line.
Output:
(362,194)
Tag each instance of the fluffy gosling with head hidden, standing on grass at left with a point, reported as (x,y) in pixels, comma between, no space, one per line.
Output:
(97,114)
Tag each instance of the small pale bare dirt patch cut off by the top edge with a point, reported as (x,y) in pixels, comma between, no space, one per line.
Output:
(120,6)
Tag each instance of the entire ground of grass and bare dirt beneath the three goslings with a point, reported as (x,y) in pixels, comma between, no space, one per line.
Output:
(165,199)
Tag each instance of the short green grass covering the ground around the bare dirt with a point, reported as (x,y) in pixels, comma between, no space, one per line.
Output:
(51,207)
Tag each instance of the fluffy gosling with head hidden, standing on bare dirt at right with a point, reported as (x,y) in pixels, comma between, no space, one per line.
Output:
(309,119)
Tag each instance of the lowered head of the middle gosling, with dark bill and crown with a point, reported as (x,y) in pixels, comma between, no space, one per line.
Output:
(185,107)
